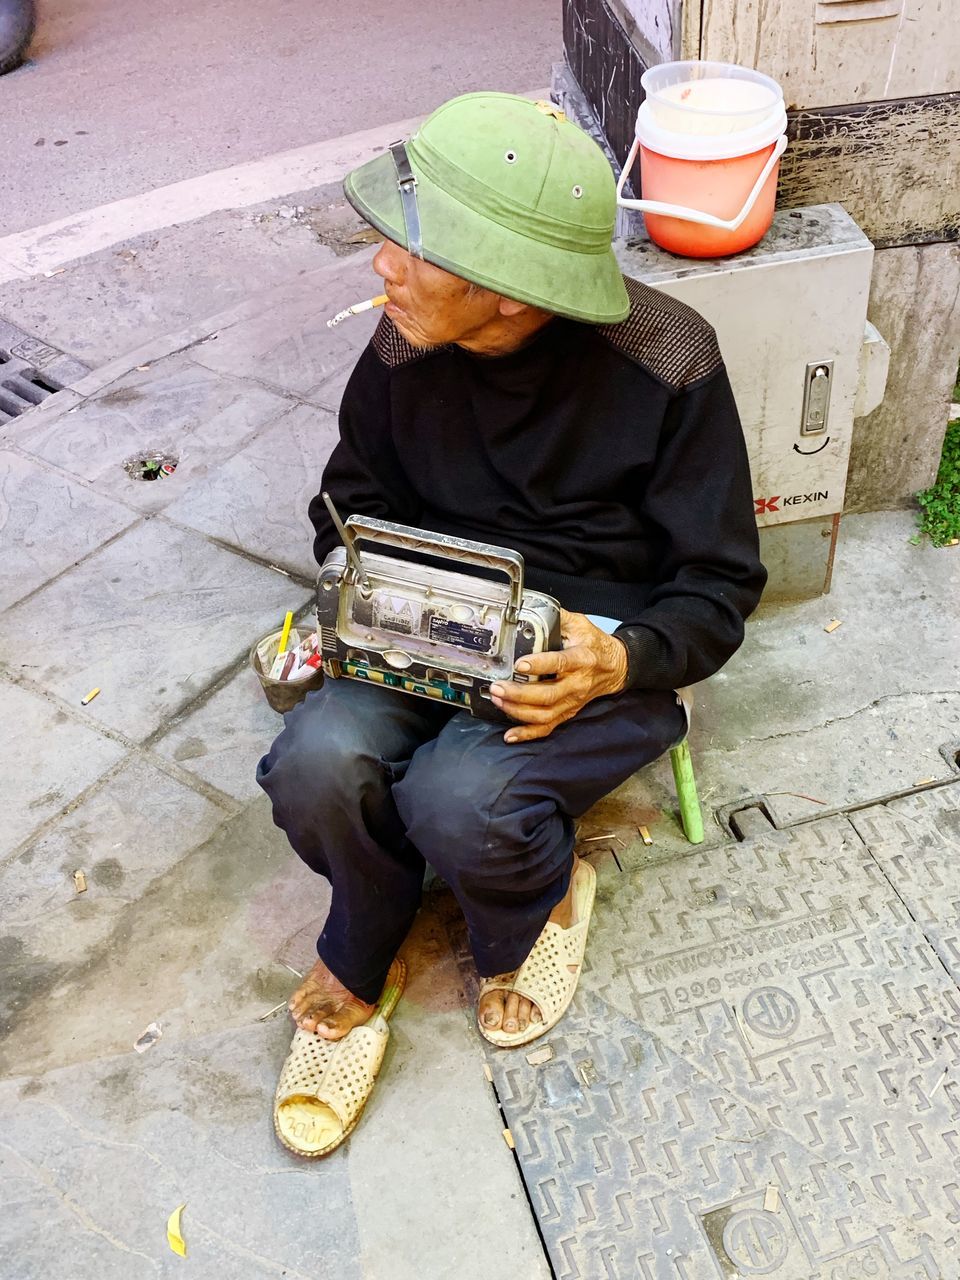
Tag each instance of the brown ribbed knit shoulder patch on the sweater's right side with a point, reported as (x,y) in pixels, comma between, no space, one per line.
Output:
(668,337)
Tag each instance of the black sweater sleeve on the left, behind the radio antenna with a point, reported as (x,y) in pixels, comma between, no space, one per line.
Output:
(364,476)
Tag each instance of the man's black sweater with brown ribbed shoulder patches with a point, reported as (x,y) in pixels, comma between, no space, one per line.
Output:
(611,458)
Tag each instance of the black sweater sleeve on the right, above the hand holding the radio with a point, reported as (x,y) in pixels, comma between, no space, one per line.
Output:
(701,506)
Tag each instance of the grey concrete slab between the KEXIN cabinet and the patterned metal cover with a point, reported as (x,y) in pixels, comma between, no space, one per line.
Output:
(898,605)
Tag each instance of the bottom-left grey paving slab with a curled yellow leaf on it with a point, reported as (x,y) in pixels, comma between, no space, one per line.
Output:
(98,1156)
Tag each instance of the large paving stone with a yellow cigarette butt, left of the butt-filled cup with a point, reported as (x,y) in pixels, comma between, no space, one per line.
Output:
(154,619)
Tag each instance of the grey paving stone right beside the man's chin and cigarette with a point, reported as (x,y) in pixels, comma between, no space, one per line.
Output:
(289,345)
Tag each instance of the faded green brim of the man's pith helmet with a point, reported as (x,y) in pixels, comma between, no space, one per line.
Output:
(458,239)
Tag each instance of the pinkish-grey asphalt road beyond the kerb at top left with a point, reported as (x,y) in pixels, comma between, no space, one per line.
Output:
(122,97)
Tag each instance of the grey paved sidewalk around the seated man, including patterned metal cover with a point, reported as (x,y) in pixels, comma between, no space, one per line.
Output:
(775,1009)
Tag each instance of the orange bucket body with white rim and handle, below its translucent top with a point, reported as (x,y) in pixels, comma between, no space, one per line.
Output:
(706,195)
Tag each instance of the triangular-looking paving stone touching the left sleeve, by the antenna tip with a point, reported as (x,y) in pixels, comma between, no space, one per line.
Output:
(259,500)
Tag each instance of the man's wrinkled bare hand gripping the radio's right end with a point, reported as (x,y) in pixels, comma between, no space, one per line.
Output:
(591,665)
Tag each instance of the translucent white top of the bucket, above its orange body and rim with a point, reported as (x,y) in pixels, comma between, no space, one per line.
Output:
(705,98)
